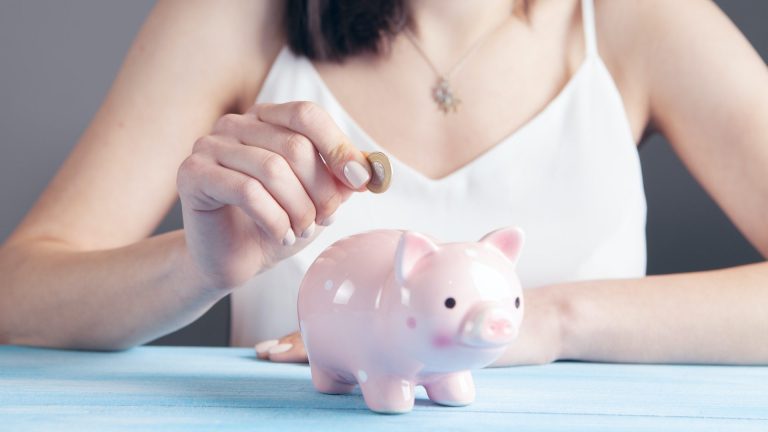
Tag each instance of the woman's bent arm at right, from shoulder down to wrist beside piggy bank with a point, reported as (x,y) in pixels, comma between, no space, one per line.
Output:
(707,92)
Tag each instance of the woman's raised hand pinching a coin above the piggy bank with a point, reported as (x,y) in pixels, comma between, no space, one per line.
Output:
(254,190)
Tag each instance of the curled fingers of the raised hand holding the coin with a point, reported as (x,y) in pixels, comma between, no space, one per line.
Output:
(288,163)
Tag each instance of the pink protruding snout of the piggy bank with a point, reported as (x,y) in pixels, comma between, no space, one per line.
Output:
(489,326)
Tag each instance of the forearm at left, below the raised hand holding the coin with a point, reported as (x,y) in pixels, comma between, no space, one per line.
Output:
(111,299)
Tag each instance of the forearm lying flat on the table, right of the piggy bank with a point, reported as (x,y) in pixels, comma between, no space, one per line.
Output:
(718,316)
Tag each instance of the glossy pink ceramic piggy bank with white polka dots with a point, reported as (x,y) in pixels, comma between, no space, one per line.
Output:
(390,310)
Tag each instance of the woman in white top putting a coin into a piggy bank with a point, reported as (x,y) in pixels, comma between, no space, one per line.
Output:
(554,97)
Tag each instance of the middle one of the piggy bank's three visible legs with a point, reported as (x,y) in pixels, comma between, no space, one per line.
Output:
(389,395)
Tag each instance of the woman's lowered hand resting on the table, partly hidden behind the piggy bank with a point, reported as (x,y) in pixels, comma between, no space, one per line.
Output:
(540,340)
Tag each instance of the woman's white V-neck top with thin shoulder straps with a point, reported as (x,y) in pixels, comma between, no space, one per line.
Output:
(570,177)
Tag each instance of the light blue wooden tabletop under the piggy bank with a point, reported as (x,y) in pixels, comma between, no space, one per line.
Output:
(189,389)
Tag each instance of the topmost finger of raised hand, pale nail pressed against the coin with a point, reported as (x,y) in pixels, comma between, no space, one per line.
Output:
(346,162)
